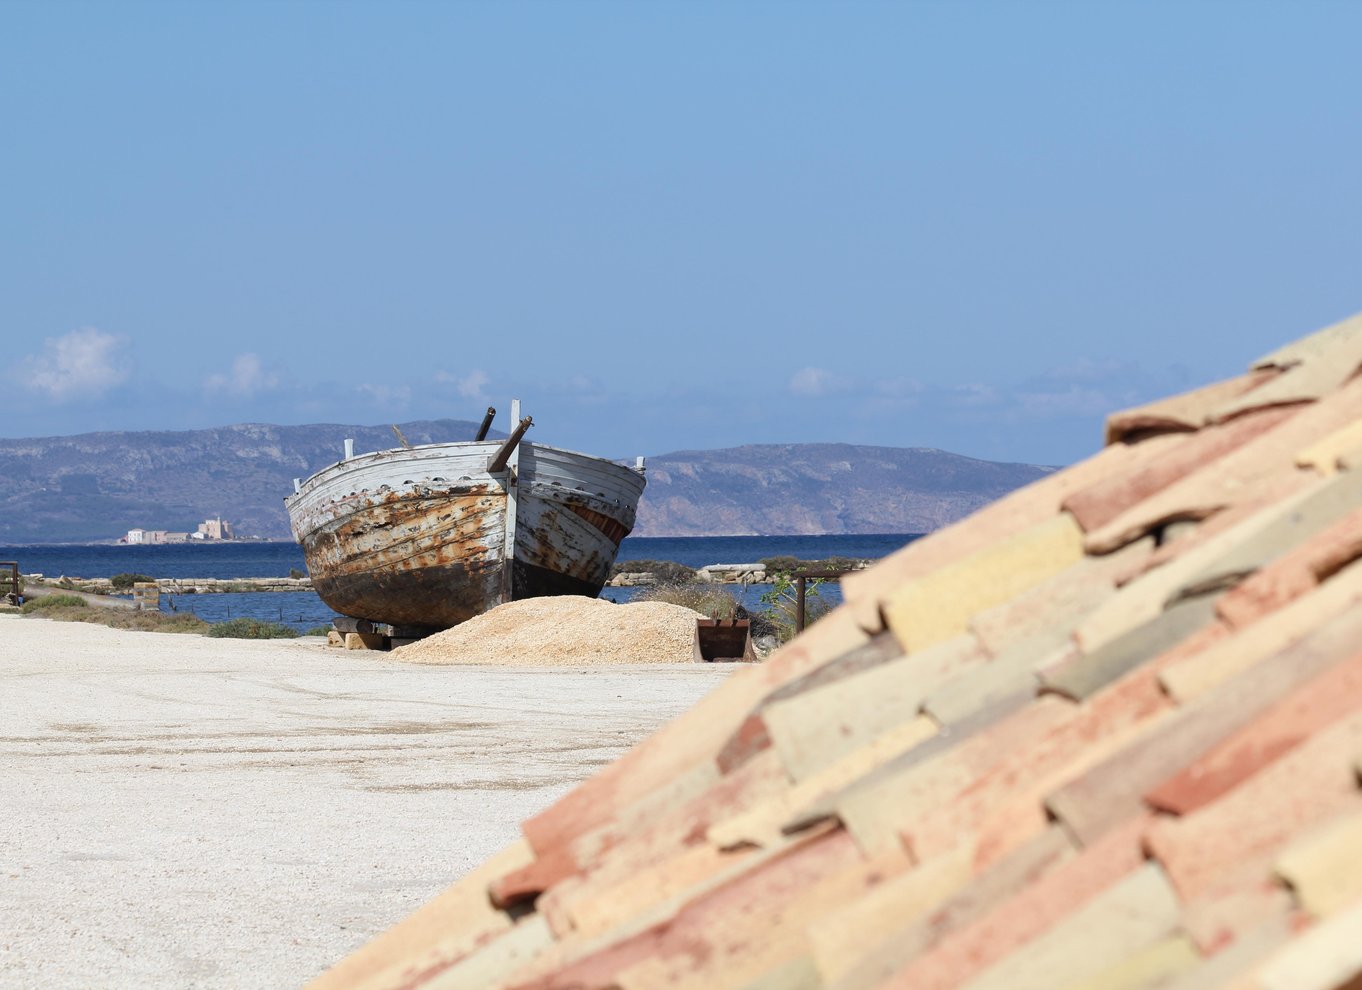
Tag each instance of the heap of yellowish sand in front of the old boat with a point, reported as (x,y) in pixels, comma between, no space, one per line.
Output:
(565,631)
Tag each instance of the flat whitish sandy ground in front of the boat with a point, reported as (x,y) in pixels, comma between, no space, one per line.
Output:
(183,812)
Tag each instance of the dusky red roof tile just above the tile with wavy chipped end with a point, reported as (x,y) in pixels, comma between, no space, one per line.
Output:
(1108,499)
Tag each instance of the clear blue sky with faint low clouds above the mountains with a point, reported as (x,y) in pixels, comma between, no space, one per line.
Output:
(977,227)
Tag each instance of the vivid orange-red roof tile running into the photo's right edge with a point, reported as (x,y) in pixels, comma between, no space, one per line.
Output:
(1281,729)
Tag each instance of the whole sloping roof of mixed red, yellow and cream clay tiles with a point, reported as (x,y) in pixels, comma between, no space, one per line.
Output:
(1104,733)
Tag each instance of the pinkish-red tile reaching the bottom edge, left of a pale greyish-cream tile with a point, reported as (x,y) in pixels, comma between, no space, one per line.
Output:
(1013,923)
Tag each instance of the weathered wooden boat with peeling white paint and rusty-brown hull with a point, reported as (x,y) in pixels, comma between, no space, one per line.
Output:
(437,534)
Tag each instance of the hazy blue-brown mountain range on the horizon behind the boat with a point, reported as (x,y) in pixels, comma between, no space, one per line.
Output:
(97,487)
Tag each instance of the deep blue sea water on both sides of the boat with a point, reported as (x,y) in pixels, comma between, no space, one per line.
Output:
(304,611)
